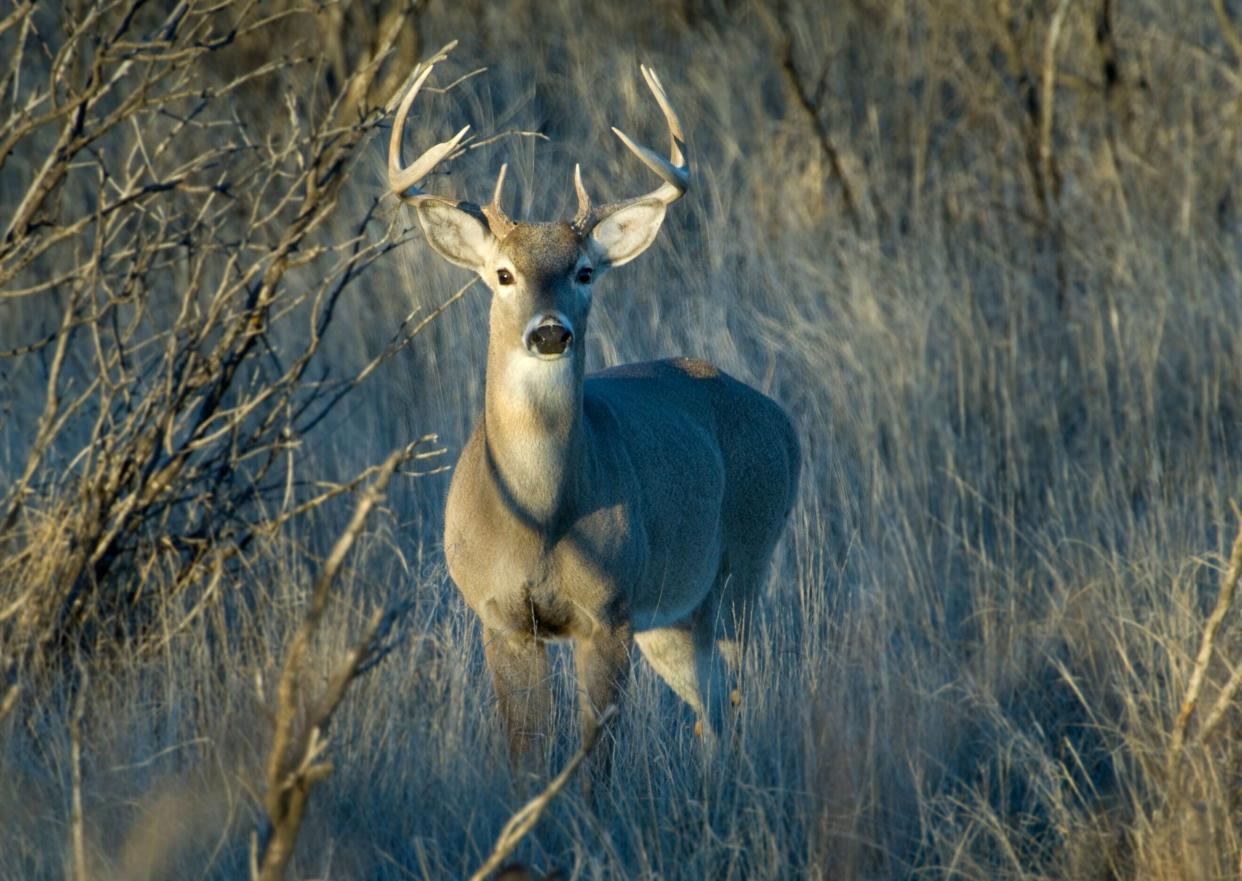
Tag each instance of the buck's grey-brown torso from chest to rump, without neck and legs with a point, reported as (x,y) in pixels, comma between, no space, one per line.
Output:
(624,519)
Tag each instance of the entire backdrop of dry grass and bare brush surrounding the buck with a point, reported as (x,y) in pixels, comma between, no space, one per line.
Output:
(988,253)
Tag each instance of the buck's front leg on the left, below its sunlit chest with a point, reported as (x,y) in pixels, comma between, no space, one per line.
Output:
(520,674)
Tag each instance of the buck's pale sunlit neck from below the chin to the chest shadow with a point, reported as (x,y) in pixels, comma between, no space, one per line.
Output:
(533,432)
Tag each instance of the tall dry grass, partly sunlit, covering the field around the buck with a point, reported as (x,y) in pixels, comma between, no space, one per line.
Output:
(986,612)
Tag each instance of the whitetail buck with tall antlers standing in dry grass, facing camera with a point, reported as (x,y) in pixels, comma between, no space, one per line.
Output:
(641,503)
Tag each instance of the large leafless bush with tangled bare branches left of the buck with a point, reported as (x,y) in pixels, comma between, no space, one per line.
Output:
(193,262)
